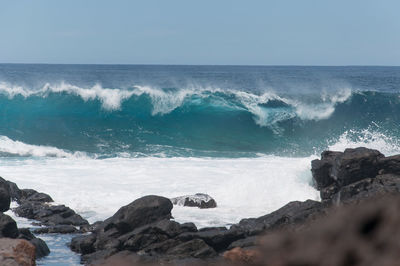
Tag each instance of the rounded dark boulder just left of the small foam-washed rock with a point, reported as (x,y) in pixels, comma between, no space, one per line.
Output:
(142,211)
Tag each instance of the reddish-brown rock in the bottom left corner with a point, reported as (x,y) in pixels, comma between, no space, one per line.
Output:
(16,252)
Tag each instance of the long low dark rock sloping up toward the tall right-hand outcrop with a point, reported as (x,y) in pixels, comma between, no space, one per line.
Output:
(293,213)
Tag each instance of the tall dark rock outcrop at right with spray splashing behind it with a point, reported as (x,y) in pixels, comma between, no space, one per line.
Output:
(355,174)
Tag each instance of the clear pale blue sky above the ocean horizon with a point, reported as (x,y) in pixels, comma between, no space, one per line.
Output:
(261,32)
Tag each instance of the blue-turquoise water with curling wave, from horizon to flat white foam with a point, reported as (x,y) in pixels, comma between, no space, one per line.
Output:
(218,111)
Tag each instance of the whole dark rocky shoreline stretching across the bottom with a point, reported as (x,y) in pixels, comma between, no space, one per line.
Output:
(143,232)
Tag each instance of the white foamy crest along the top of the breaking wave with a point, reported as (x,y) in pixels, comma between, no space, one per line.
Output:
(164,102)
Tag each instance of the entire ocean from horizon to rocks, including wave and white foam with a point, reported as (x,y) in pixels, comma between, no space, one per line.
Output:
(97,137)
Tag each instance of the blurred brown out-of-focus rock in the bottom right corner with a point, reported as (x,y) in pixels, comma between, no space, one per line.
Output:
(363,234)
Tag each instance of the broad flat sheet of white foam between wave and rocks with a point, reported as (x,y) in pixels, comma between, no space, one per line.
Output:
(246,187)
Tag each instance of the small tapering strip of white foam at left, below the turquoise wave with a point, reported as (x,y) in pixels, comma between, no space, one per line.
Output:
(14,147)
